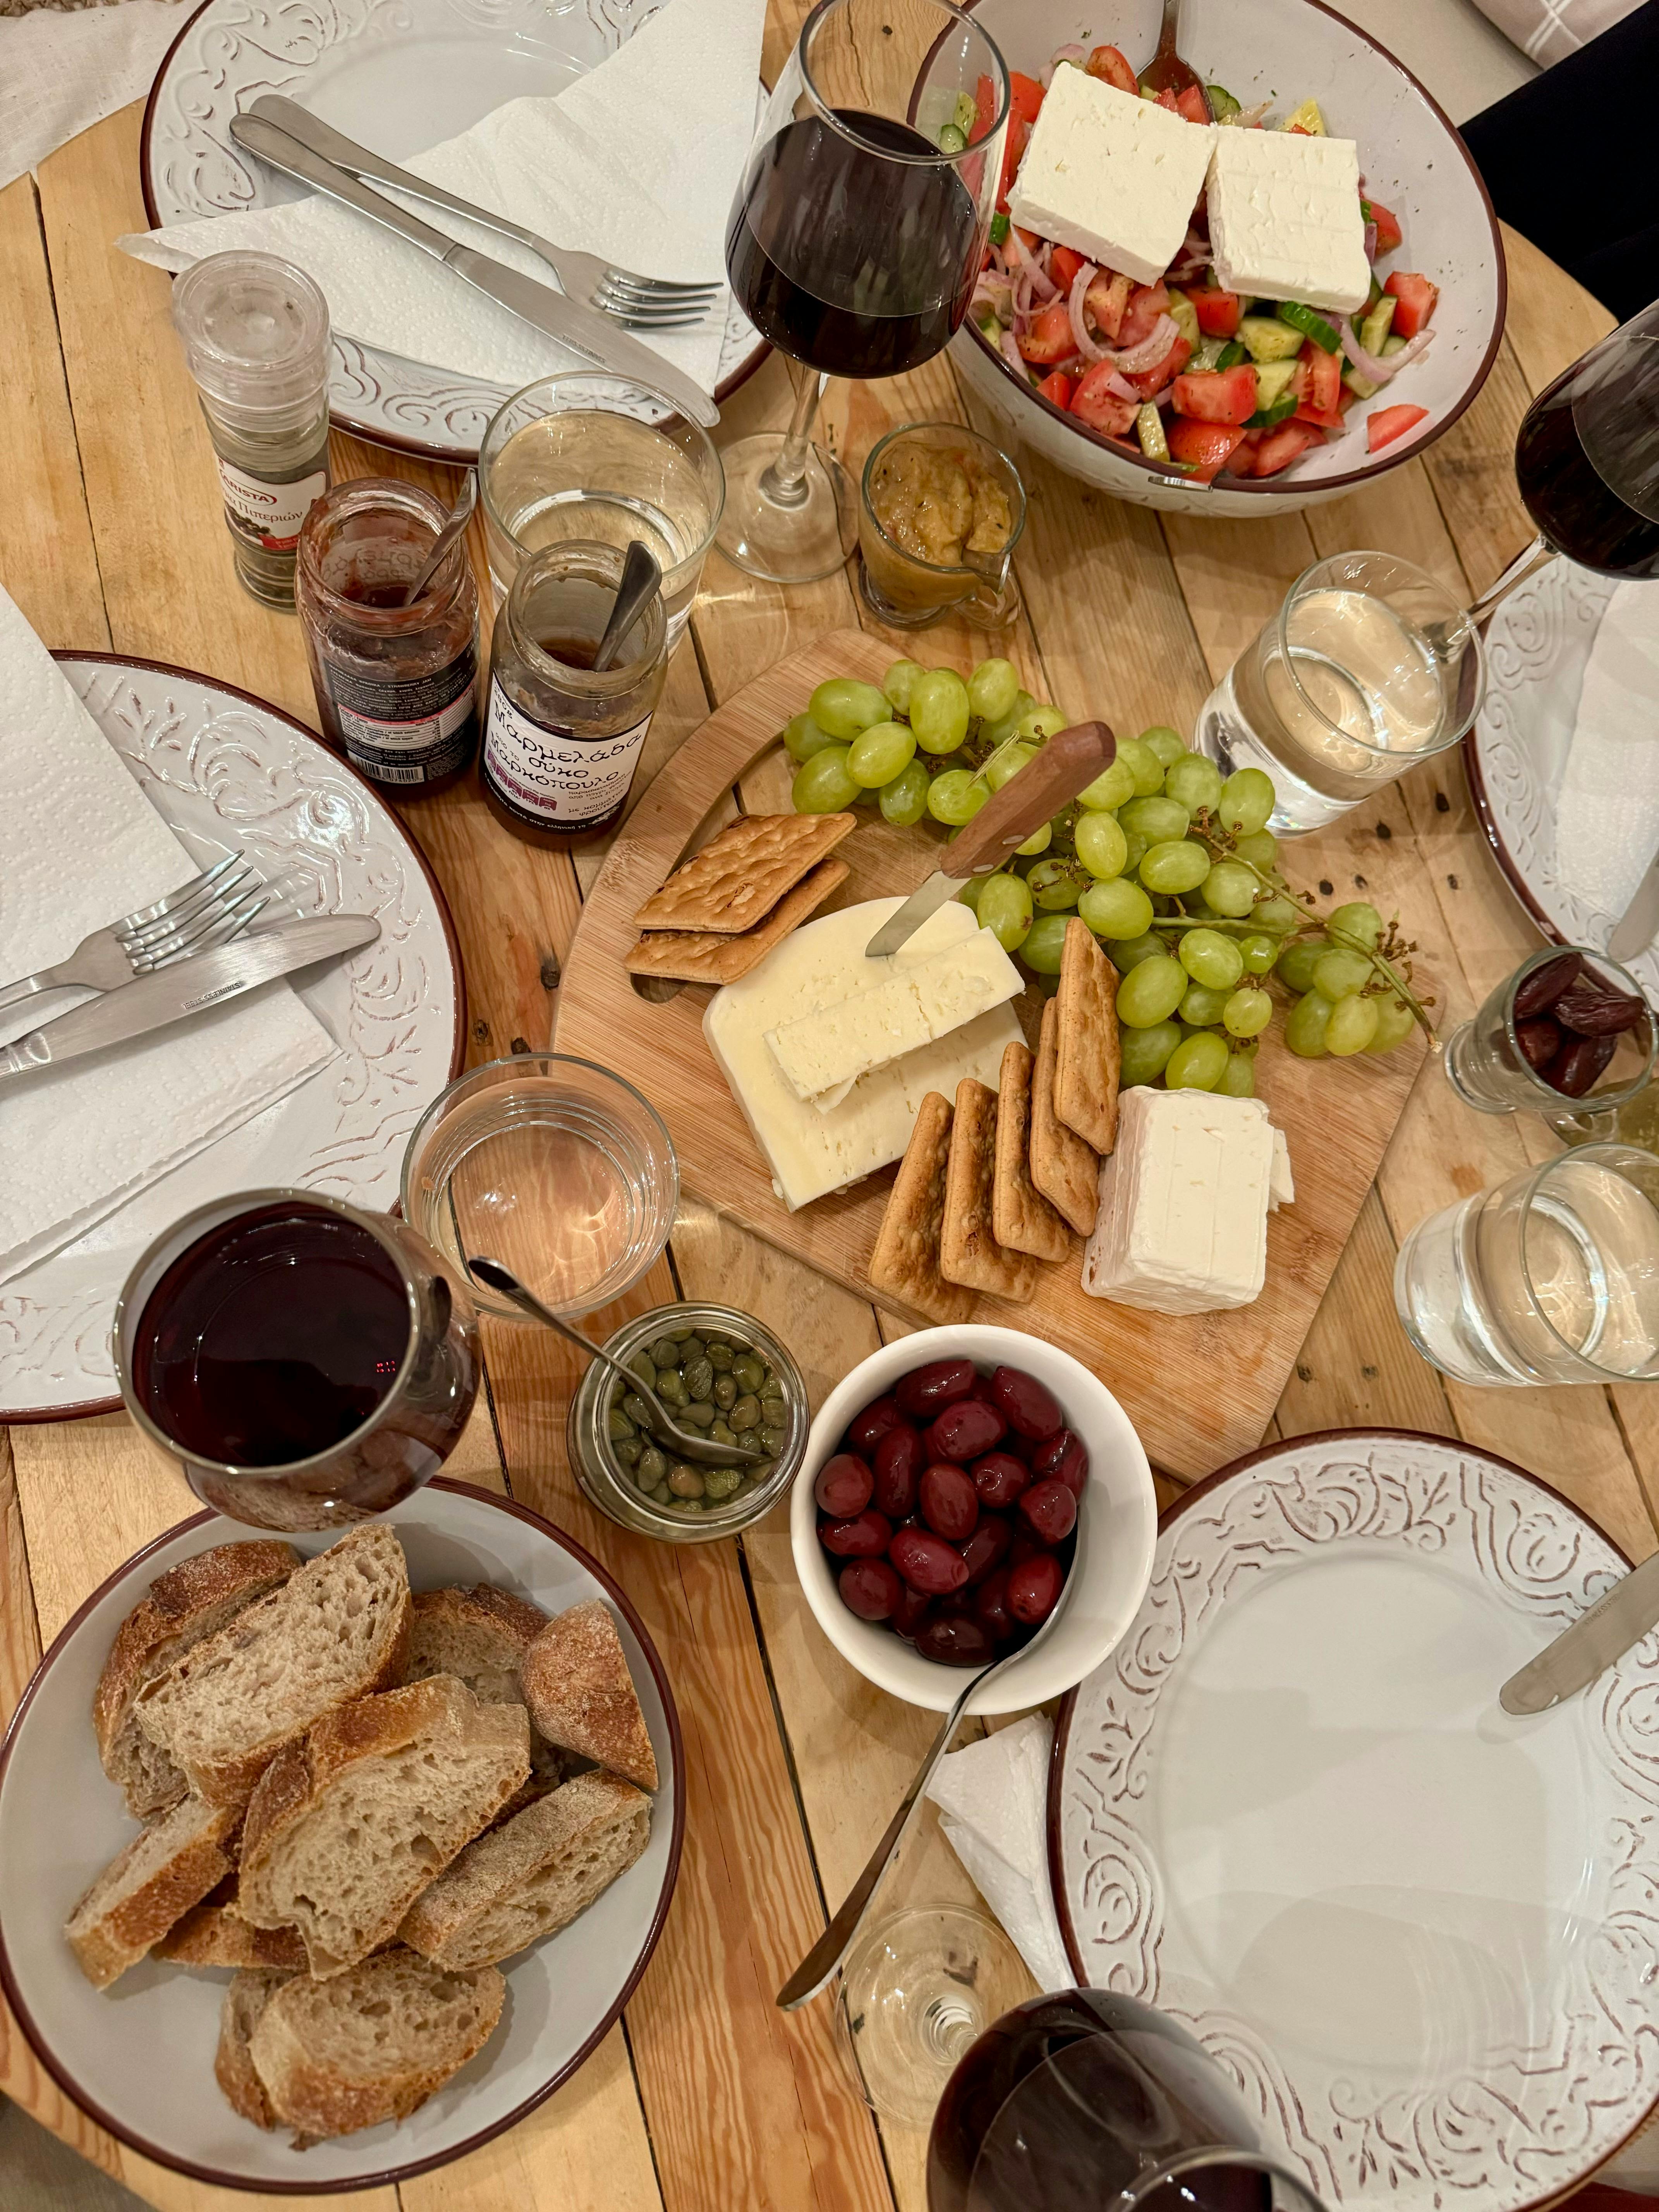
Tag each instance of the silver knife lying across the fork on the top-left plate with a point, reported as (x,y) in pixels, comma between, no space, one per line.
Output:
(585,331)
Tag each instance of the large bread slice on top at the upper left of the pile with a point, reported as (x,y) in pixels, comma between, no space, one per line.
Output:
(335,1631)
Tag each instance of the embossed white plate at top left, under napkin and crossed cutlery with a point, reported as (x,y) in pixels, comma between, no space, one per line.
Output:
(395,76)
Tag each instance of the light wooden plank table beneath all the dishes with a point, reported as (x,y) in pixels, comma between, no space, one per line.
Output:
(707,2098)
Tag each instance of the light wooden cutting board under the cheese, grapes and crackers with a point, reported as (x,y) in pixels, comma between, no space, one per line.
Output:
(1200,1390)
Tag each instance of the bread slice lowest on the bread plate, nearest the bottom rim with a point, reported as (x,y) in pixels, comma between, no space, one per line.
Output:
(371,2045)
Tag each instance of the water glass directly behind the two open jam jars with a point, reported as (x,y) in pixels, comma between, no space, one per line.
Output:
(601,459)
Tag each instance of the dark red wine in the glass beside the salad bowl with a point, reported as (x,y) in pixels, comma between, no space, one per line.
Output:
(851,262)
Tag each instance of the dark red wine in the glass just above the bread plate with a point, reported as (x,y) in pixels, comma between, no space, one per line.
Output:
(273,1337)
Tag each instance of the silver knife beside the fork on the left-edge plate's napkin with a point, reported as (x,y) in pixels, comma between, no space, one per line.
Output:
(189,988)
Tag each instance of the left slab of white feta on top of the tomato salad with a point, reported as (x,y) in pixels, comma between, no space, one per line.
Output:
(1112,176)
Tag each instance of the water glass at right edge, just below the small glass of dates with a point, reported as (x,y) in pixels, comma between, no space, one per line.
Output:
(1552,1277)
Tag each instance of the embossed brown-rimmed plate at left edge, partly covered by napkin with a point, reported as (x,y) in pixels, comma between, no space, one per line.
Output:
(231,773)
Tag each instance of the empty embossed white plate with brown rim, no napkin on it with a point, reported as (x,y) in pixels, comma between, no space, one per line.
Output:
(1421,1937)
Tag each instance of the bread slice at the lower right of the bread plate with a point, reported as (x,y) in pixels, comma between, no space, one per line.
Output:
(534,1875)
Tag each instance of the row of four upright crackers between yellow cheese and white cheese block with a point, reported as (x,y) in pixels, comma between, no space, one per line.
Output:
(997,1185)
